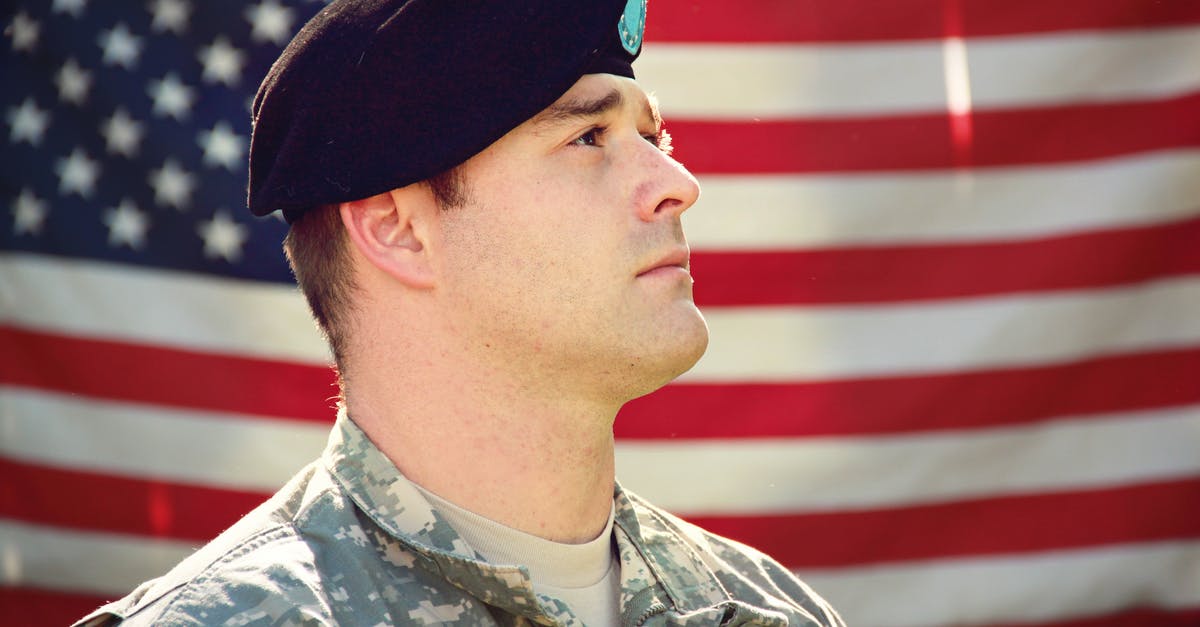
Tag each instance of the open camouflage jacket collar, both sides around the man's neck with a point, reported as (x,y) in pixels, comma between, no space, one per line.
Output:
(658,552)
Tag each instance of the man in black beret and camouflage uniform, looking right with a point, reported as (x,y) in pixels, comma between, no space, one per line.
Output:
(485,220)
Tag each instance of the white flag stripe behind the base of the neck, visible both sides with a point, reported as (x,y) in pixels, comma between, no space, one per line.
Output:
(695,477)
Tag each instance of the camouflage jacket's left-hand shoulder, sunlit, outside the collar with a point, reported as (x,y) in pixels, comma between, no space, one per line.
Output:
(323,565)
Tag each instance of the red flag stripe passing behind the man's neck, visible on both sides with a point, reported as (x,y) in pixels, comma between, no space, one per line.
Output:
(863,407)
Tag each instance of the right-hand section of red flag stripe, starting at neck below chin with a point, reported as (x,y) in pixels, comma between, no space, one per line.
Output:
(914,404)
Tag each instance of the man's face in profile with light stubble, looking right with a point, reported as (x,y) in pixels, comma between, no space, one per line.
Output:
(569,255)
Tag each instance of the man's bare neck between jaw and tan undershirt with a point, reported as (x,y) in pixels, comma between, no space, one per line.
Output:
(532,461)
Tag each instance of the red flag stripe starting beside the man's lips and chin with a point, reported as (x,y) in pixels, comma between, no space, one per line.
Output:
(880,274)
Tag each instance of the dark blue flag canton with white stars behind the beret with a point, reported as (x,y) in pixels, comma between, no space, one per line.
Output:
(129,127)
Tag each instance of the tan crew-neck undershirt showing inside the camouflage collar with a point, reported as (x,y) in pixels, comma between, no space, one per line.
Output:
(586,577)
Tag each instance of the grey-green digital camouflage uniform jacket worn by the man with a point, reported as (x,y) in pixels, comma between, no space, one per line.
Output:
(350,542)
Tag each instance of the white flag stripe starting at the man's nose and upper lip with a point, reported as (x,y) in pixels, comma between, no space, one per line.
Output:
(988,205)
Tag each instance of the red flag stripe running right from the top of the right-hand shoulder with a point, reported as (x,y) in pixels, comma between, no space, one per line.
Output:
(1150,512)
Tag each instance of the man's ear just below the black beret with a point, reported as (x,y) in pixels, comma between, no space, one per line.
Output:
(391,231)
